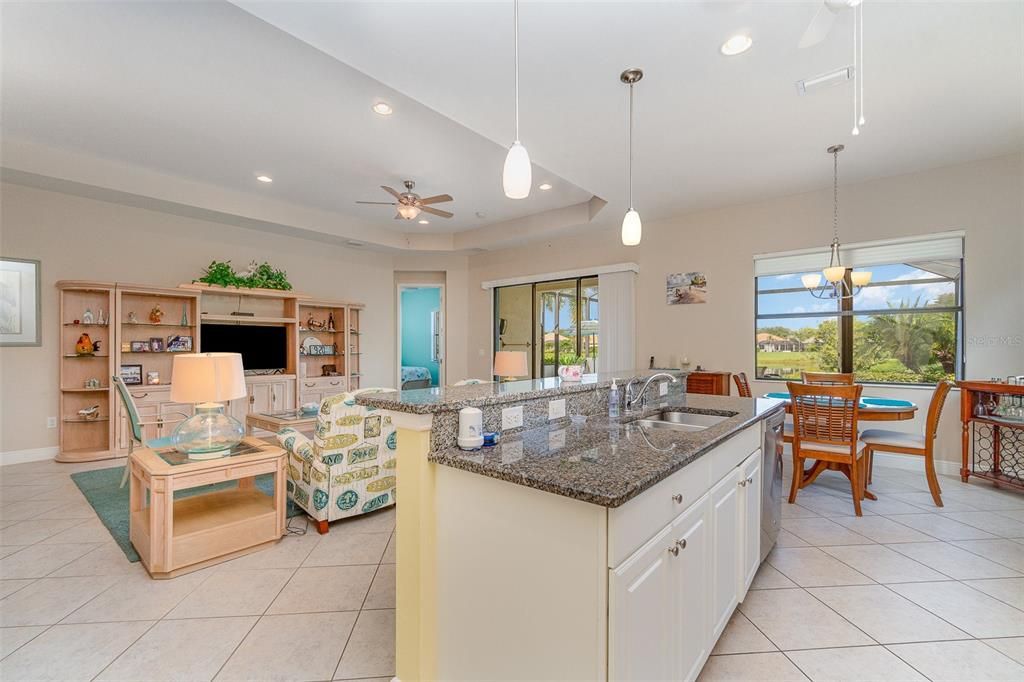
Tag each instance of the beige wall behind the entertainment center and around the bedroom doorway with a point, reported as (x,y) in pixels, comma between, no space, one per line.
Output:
(84,239)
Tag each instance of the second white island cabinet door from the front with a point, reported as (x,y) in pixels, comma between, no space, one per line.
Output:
(691,533)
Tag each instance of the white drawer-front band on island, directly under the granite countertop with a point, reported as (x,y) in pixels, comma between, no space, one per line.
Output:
(639,520)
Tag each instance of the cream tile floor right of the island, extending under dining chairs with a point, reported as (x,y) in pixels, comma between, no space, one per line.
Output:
(906,592)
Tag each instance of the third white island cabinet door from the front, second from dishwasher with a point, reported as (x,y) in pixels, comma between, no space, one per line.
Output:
(727,550)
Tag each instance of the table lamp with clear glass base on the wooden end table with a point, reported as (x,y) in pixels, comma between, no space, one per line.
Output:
(208,381)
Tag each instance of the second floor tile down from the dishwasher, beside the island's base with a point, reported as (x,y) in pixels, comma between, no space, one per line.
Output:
(784,616)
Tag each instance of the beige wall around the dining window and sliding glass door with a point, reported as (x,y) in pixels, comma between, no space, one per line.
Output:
(985,199)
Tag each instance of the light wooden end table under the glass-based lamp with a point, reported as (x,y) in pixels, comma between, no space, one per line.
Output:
(175,537)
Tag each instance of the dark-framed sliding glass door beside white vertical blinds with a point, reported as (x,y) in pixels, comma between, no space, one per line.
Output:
(553,322)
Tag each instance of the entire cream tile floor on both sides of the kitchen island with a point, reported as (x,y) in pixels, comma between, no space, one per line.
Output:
(907,592)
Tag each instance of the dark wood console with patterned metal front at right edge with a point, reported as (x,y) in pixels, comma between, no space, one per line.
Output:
(993,446)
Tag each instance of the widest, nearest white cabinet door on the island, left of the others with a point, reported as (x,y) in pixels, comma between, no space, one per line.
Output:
(644,628)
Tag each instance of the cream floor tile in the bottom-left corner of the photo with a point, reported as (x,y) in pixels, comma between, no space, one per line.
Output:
(71,653)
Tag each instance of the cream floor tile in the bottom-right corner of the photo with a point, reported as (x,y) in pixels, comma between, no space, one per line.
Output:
(958,662)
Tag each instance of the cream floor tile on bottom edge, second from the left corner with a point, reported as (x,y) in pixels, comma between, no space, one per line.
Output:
(181,651)
